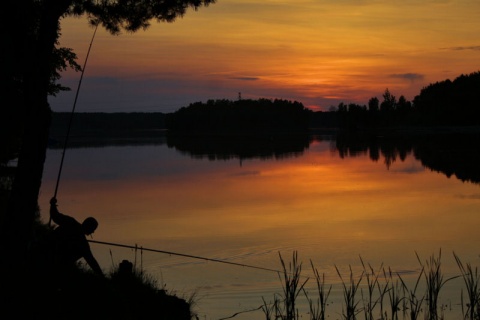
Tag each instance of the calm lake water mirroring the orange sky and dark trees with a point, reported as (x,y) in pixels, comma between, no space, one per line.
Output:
(332,202)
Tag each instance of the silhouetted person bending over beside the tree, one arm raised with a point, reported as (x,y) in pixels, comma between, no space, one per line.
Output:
(70,242)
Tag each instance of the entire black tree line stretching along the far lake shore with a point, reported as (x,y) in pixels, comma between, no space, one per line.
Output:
(443,103)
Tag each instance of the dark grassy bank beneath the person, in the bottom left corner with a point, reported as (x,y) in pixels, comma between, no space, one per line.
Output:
(123,293)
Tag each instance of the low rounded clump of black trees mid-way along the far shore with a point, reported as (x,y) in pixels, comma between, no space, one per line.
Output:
(243,115)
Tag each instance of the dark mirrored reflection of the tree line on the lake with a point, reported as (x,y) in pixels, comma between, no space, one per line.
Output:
(451,152)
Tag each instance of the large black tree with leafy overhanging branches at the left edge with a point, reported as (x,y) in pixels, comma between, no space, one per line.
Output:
(27,56)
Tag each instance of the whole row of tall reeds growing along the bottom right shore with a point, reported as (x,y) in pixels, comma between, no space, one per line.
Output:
(414,304)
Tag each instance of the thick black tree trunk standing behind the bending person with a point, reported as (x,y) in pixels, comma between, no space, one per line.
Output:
(39,33)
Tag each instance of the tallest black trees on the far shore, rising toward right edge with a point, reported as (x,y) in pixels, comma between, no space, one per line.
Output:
(443,103)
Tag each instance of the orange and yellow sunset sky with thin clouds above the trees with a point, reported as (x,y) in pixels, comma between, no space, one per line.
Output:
(317,52)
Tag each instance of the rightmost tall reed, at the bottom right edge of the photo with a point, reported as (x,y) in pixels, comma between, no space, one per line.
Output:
(472,280)
